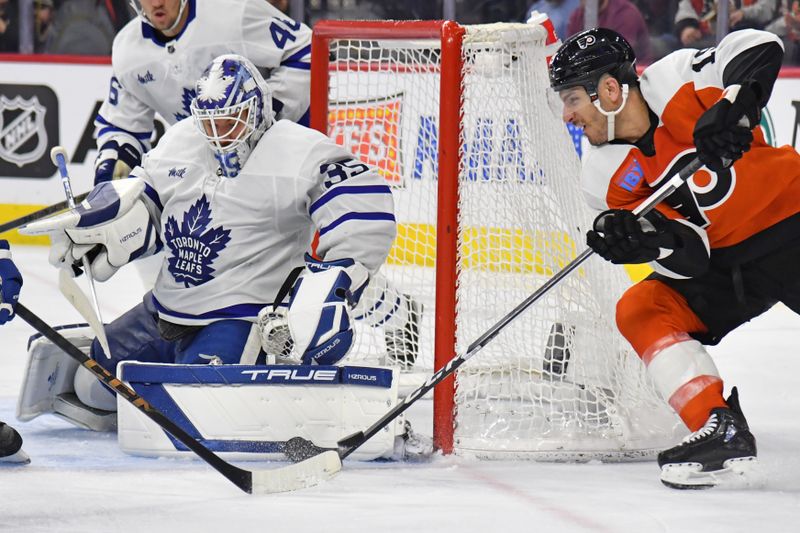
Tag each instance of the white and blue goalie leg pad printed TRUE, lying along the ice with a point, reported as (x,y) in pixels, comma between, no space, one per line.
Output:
(249,412)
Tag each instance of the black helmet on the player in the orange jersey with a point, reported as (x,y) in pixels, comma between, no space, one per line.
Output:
(586,56)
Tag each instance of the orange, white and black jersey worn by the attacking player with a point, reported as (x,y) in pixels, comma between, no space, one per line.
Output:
(735,210)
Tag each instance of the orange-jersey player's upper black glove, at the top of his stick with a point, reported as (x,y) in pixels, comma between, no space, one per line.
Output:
(719,135)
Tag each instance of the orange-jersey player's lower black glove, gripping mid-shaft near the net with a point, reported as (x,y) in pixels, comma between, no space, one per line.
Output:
(622,238)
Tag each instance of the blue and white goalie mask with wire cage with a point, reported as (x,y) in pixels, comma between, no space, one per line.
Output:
(232,110)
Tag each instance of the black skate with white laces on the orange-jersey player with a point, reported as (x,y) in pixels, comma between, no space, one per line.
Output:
(721,453)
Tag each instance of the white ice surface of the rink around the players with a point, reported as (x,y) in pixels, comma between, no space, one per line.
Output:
(80,481)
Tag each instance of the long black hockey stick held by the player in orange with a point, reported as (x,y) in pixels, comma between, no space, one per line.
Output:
(349,444)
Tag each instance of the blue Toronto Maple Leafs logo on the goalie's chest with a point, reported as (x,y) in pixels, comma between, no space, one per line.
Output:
(194,245)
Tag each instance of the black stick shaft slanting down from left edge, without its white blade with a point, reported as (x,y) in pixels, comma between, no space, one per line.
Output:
(239,477)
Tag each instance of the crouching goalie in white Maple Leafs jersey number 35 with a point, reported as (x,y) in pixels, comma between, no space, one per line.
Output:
(234,199)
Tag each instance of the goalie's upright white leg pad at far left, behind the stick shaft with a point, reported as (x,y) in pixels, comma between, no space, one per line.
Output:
(50,371)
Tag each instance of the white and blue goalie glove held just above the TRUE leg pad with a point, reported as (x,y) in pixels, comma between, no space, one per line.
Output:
(319,310)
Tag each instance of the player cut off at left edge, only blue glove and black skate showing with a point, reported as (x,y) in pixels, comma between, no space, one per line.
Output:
(10,284)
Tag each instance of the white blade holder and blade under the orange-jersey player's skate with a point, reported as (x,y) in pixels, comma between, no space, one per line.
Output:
(735,474)
